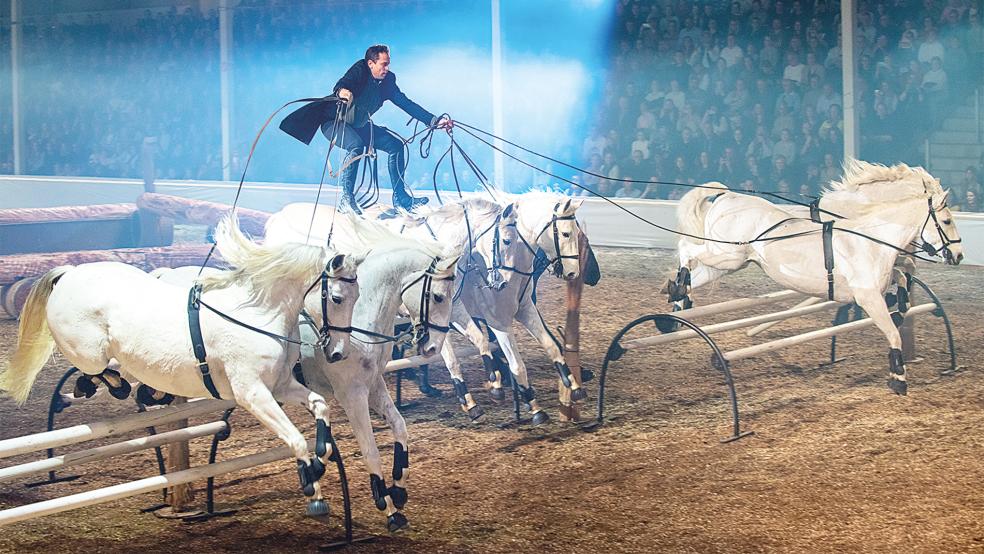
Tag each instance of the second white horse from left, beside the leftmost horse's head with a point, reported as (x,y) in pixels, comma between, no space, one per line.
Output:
(397,270)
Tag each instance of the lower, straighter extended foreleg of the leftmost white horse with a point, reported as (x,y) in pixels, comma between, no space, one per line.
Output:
(259,401)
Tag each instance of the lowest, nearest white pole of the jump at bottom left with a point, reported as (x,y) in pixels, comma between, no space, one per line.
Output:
(133,488)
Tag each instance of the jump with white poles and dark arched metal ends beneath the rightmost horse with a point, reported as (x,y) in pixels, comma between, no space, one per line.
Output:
(722,359)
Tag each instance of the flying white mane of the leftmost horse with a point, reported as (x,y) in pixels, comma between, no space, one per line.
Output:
(260,267)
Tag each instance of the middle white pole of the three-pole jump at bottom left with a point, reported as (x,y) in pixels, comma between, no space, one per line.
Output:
(110,450)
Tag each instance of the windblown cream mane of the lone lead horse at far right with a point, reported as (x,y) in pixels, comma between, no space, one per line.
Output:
(866,184)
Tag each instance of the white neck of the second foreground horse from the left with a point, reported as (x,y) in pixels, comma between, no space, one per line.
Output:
(381,278)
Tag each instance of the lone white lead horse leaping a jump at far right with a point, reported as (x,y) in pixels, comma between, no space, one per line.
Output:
(894,206)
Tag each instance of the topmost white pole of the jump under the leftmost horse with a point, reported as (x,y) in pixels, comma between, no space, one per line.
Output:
(100,429)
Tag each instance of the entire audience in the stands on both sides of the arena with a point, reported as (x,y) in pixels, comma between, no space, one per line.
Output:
(746,92)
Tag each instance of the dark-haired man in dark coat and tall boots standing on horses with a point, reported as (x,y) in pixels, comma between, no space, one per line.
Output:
(364,88)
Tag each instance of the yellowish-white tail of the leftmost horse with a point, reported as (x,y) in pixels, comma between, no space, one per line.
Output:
(34,341)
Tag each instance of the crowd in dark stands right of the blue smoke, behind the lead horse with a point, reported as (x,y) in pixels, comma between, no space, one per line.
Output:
(748,92)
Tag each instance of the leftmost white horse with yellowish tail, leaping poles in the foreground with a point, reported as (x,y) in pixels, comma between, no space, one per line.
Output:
(107,310)
